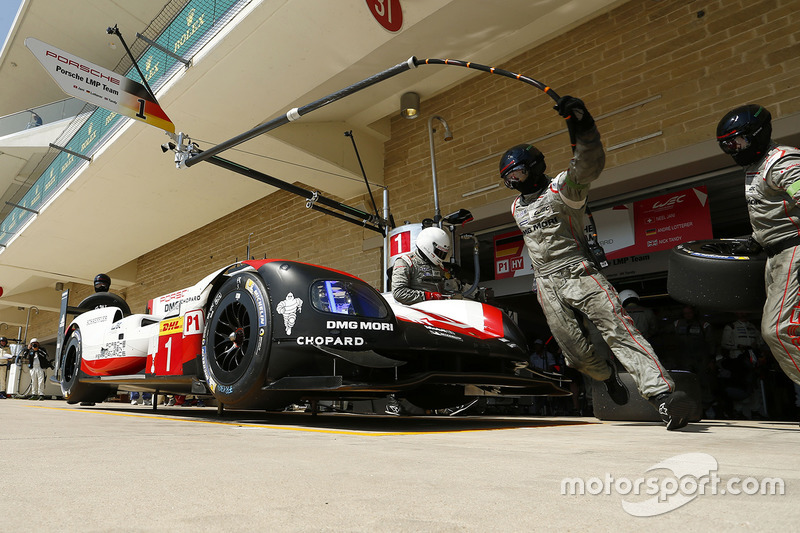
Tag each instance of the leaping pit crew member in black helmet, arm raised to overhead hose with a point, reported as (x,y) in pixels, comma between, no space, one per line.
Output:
(550,212)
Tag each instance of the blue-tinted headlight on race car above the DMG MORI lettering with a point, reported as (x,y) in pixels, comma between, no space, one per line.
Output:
(346,298)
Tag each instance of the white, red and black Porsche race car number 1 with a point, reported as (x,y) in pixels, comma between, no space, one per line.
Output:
(269,333)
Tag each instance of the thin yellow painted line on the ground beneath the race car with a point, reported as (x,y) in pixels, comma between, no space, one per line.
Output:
(311,430)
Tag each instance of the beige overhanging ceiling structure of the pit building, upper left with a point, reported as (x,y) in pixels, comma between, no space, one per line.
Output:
(276,55)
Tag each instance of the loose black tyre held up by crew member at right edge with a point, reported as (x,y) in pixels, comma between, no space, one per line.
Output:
(708,274)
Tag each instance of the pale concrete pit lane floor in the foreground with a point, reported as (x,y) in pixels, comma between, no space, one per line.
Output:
(117,467)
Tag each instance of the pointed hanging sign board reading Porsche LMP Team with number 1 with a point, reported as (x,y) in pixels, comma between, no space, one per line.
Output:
(99,86)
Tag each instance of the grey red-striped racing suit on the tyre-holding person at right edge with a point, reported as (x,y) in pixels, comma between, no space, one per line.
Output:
(773,198)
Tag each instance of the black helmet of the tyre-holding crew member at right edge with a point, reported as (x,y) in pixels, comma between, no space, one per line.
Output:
(745,133)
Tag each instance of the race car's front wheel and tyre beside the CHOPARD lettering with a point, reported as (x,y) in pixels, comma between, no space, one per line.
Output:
(236,341)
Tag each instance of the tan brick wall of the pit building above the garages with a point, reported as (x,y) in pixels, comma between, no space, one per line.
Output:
(683,70)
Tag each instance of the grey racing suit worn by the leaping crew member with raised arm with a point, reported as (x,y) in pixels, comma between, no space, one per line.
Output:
(552,223)
